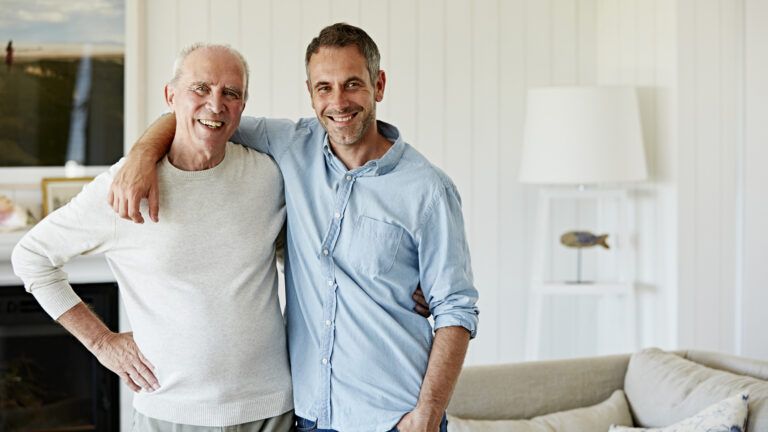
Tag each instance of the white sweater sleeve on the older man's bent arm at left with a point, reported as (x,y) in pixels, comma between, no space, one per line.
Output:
(83,226)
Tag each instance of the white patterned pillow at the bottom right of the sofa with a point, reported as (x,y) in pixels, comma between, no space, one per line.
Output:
(729,415)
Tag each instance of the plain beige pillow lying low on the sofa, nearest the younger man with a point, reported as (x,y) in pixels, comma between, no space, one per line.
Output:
(613,410)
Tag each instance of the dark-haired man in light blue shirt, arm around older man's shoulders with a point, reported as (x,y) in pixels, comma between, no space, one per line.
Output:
(369,218)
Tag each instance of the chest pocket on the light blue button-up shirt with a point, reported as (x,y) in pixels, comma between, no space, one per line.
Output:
(374,245)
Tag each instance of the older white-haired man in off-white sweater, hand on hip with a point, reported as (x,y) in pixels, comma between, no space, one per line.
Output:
(200,288)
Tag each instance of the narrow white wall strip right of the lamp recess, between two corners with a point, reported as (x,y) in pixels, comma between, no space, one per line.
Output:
(711,68)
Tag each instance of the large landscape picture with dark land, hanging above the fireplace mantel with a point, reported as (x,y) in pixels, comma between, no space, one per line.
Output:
(61,87)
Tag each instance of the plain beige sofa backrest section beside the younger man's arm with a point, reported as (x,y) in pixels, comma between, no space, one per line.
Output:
(525,390)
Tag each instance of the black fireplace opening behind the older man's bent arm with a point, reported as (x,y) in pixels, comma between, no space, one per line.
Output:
(48,380)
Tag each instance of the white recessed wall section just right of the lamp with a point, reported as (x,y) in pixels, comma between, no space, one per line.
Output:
(637,47)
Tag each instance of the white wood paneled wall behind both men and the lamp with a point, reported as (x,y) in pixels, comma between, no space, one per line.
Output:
(458,72)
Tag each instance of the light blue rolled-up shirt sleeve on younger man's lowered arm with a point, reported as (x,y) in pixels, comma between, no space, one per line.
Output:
(444,263)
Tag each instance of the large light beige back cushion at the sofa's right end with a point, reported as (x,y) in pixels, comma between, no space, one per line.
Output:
(663,389)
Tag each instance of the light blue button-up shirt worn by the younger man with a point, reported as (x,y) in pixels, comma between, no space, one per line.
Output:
(358,244)
